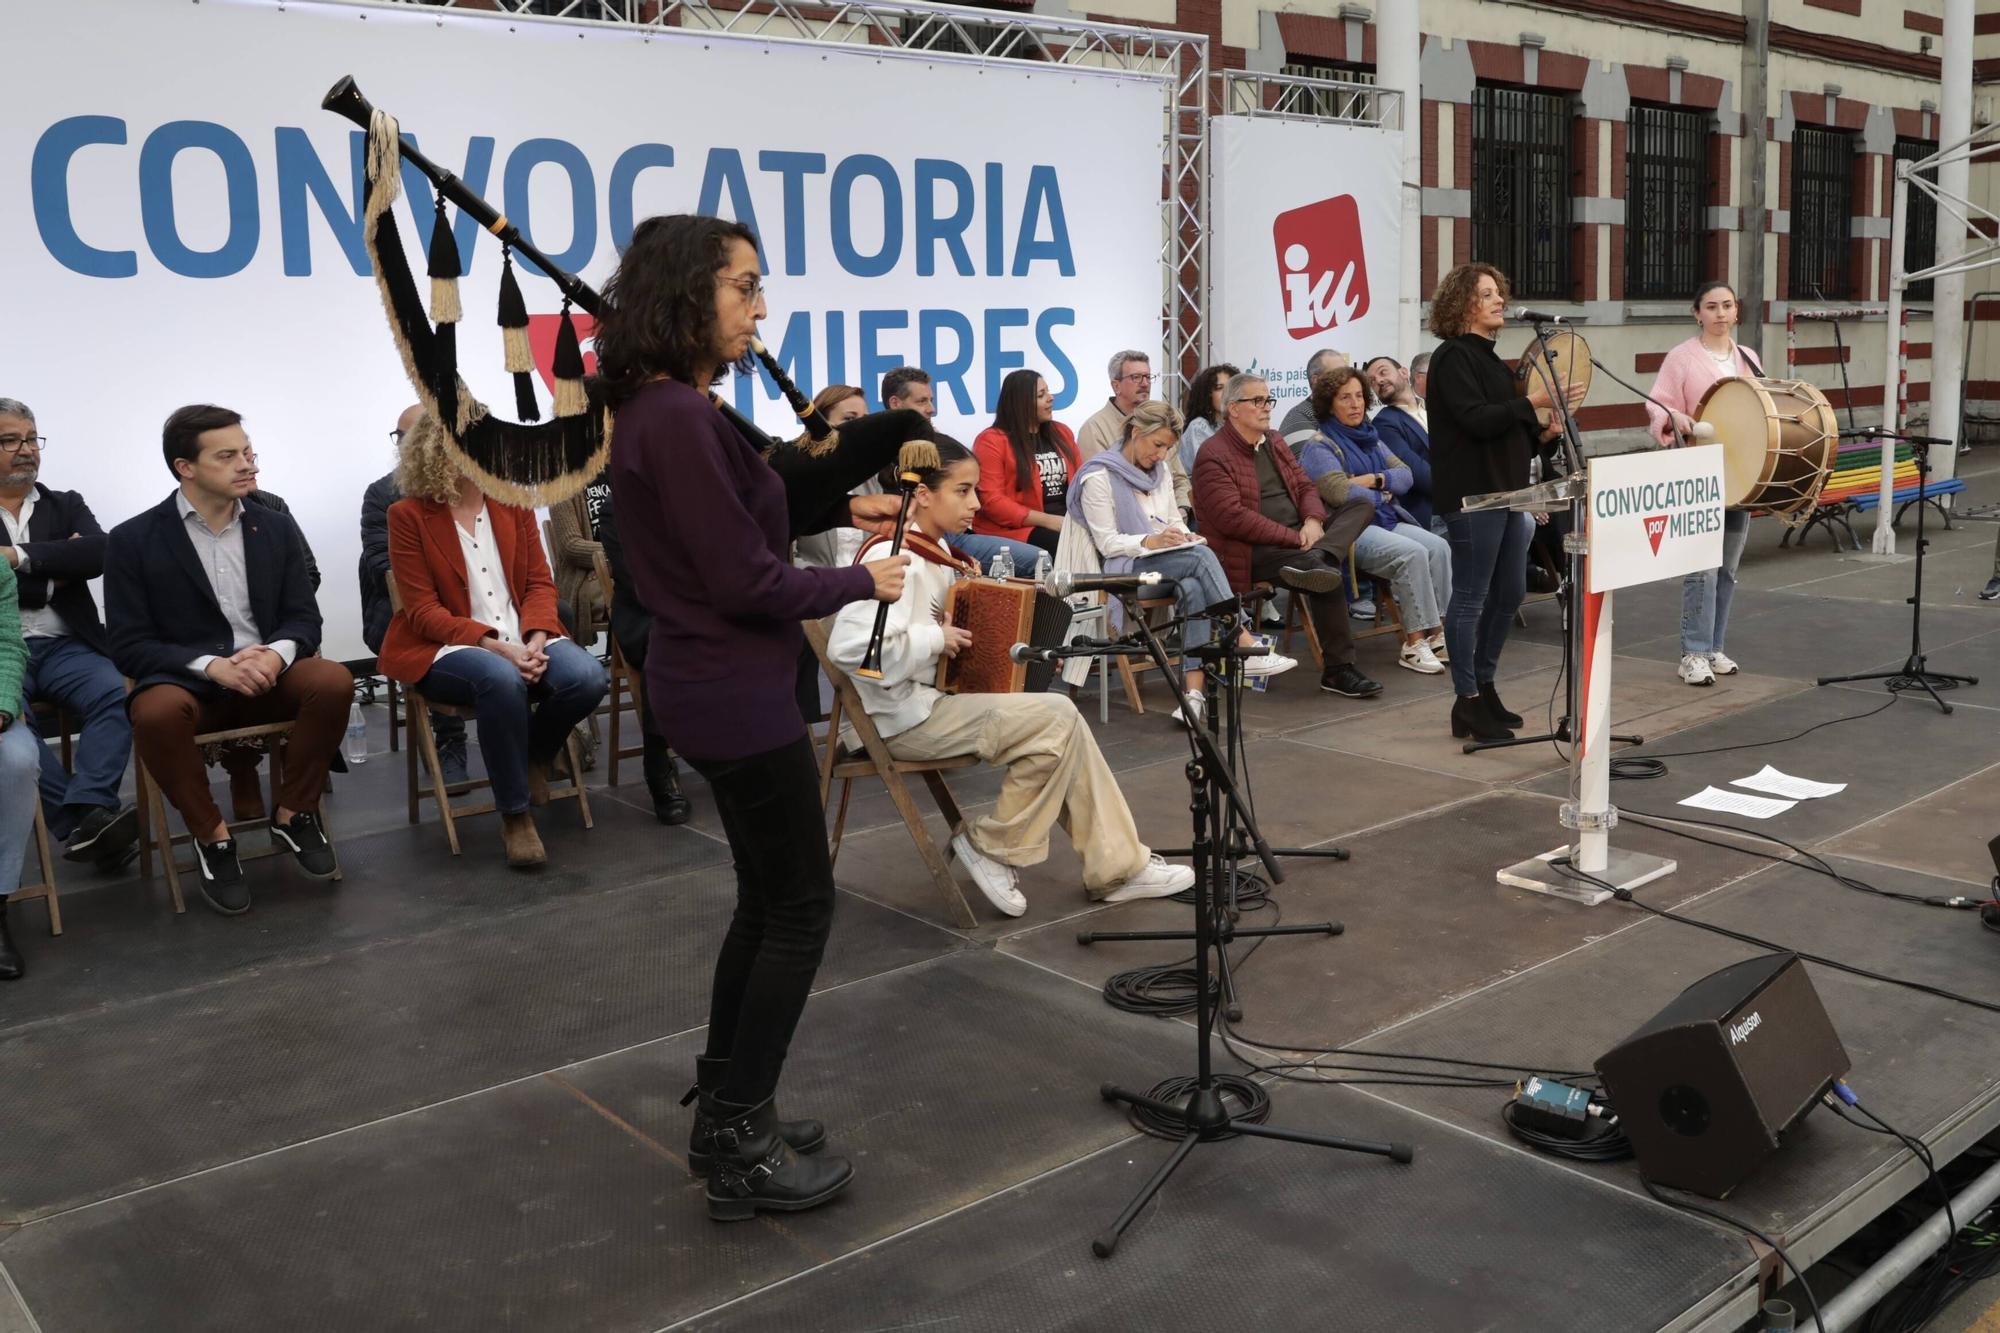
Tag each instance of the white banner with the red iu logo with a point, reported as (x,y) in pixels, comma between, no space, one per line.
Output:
(1305,245)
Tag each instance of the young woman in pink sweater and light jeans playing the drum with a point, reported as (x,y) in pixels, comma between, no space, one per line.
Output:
(1685,377)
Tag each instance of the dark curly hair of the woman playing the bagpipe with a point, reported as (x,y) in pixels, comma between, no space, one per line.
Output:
(661,305)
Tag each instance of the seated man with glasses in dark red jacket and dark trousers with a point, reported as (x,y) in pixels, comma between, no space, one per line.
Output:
(1267,523)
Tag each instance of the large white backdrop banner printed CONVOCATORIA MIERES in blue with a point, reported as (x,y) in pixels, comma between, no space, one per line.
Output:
(187,221)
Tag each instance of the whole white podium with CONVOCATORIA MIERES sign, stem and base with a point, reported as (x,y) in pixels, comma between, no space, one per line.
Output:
(1637,519)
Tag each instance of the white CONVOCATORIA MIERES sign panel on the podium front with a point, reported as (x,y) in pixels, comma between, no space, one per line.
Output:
(1655,515)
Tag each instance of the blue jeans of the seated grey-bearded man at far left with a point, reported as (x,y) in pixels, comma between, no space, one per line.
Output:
(81,682)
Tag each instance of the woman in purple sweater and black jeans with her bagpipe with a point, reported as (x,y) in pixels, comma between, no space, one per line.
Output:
(709,511)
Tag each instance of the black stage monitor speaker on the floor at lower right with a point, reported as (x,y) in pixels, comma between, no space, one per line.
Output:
(1715,1080)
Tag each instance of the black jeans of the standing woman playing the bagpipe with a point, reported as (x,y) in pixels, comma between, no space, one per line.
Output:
(785,910)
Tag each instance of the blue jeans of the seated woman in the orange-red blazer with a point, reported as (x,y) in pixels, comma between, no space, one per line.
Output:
(519,724)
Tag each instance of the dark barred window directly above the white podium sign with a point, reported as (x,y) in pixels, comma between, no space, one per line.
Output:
(1667,213)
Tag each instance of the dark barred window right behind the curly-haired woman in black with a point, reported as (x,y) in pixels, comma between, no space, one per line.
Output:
(1521,187)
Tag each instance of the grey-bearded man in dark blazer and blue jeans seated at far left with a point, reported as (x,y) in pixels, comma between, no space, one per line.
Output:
(57,547)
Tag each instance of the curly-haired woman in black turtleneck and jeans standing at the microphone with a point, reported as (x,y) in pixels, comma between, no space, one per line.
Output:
(1483,435)
